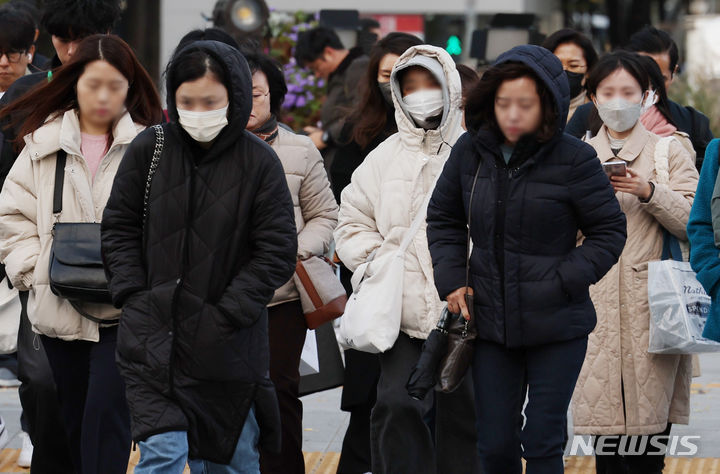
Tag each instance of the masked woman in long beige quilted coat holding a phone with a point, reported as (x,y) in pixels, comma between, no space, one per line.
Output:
(622,389)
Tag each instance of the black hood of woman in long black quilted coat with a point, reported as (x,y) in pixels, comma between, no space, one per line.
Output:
(239,89)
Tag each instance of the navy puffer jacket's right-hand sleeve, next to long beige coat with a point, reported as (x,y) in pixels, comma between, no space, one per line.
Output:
(600,220)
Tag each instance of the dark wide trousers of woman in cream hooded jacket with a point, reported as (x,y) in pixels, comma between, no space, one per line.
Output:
(401,439)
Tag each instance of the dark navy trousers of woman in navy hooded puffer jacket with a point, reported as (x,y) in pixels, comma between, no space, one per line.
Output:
(501,377)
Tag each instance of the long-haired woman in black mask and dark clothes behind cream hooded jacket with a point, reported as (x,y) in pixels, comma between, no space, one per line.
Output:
(370,123)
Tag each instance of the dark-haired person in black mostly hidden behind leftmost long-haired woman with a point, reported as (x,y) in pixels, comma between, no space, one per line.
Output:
(68,21)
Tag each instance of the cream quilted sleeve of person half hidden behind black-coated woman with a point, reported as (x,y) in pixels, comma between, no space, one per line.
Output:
(318,208)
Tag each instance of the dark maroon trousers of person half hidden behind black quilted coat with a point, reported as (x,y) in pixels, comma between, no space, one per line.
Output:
(287,330)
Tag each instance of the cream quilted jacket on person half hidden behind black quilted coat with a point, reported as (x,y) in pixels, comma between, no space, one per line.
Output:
(314,203)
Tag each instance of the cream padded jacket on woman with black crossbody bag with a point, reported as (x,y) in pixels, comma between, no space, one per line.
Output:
(26,217)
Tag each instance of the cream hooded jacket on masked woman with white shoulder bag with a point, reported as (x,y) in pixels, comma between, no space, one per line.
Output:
(388,189)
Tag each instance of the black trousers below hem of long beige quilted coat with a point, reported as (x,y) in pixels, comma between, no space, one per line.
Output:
(640,463)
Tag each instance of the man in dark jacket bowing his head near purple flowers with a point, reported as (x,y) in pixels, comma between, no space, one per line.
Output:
(321,51)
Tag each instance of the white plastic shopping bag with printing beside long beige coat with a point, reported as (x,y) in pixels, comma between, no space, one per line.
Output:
(679,307)
